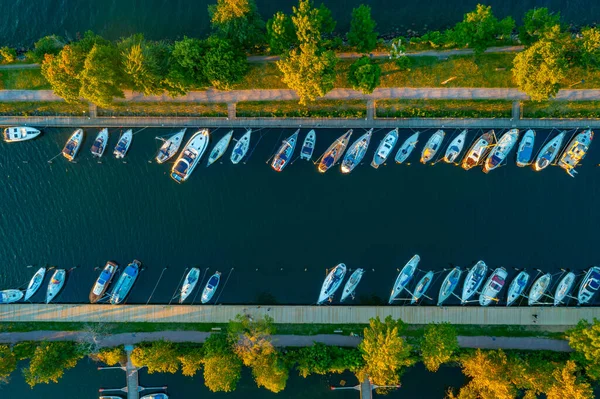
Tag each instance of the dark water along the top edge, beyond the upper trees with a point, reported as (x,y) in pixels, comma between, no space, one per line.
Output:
(22,22)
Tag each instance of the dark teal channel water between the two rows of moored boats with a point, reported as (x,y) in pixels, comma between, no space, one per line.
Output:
(280,231)
